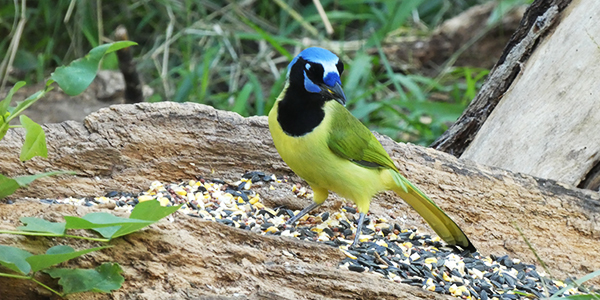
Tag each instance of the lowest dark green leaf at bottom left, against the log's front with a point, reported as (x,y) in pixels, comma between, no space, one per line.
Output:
(104,278)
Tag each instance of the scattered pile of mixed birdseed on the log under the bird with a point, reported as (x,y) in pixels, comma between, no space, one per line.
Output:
(403,255)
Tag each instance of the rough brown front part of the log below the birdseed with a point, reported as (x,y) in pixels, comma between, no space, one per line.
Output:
(196,259)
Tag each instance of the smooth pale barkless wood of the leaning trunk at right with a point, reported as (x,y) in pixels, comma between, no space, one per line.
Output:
(546,125)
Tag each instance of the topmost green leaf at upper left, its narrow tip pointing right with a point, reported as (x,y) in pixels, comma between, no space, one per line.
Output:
(80,73)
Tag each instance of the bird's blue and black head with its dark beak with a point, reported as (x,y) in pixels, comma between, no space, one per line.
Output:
(318,70)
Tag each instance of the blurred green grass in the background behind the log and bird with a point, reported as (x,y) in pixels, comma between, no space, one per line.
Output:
(233,54)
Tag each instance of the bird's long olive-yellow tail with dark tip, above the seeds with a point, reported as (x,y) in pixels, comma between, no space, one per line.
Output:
(435,216)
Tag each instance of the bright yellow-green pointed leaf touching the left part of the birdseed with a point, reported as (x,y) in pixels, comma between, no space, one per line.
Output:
(150,211)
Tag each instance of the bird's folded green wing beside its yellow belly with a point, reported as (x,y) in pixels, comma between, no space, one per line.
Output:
(350,139)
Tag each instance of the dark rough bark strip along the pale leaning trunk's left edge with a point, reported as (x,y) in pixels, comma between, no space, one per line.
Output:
(538,20)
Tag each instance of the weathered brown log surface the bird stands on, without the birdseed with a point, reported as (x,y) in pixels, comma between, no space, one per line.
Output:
(126,147)
